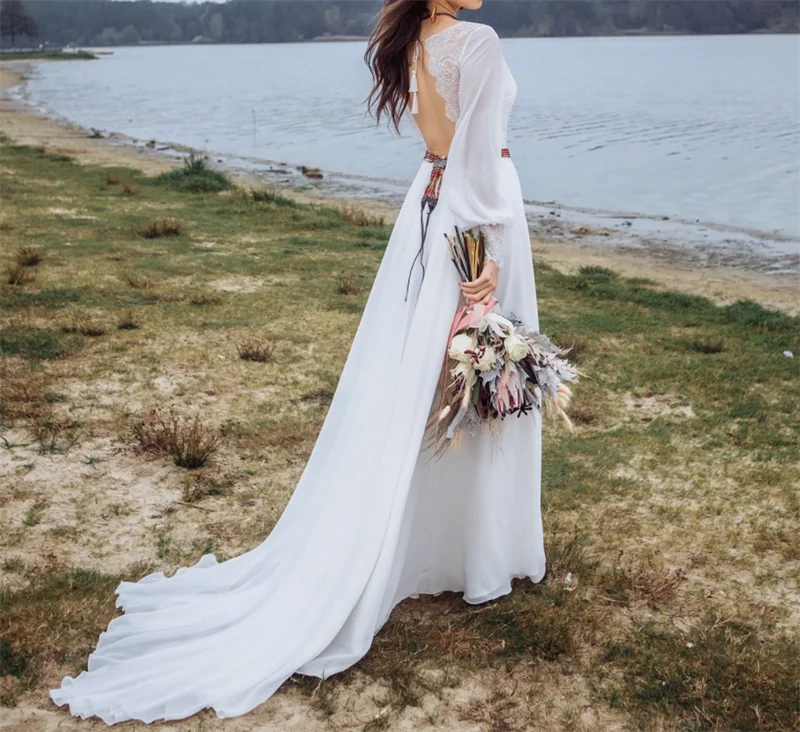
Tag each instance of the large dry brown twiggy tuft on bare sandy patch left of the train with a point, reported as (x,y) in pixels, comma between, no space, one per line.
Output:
(186,439)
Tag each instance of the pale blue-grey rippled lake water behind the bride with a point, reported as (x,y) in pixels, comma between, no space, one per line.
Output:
(694,128)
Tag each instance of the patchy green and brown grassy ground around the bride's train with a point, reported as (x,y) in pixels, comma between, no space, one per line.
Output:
(670,513)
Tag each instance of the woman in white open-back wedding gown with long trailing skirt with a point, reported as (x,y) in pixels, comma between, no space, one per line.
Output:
(375,518)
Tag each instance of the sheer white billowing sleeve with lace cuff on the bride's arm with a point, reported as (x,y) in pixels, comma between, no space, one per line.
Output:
(474,163)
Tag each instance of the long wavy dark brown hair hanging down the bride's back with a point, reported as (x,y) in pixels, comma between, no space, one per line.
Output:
(387,58)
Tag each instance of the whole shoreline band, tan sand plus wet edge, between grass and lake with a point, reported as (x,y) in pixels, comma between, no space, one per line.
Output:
(564,243)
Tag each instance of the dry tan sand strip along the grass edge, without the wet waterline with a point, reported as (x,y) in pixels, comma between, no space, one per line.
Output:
(669,267)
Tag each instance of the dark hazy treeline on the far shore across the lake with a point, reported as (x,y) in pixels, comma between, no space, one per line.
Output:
(119,22)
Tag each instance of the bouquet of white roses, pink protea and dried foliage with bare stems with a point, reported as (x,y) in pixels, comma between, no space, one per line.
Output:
(495,366)
